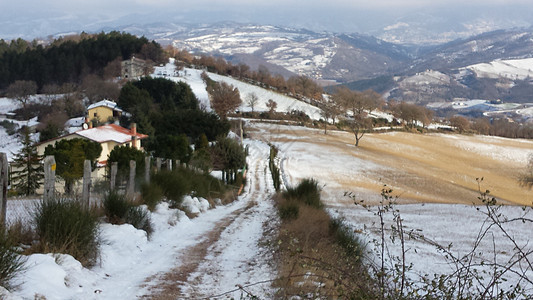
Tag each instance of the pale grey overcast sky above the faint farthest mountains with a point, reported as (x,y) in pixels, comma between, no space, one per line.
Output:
(22,7)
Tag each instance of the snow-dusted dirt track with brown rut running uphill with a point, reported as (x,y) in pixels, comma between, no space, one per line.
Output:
(232,252)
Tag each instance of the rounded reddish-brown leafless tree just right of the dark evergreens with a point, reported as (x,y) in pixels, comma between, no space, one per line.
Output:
(225,98)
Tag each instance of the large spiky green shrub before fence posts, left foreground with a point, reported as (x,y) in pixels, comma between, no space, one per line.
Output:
(66,226)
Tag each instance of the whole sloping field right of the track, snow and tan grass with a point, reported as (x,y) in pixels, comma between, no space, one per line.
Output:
(339,167)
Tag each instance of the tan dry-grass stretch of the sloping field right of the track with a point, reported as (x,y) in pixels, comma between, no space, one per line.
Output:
(420,167)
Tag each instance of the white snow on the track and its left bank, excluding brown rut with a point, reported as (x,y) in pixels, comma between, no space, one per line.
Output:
(128,258)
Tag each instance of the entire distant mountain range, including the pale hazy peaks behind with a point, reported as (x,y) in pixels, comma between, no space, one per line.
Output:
(419,57)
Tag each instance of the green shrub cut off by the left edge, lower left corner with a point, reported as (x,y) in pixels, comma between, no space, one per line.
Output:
(11,263)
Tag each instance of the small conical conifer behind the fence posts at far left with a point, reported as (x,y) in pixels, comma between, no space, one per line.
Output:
(28,171)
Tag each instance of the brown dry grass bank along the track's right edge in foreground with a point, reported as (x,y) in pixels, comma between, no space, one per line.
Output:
(312,265)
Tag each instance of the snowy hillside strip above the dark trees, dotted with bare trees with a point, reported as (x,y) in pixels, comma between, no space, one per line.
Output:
(193,78)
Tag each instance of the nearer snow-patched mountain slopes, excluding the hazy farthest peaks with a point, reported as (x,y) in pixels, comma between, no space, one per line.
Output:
(464,68)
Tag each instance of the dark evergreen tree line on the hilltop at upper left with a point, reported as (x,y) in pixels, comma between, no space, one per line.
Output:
(70,59)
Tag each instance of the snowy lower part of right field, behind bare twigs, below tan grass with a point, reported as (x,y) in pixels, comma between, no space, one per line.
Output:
(445,224)
